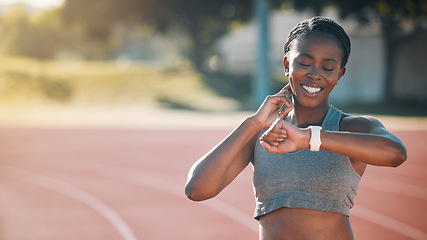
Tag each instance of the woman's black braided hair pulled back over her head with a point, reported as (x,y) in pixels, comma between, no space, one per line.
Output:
(321,25)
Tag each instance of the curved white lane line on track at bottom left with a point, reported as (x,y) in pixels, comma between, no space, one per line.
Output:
(75,193)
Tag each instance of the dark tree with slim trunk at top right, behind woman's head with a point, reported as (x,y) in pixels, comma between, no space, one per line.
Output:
(400,21)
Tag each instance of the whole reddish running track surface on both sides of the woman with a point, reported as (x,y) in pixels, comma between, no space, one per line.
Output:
(128,184)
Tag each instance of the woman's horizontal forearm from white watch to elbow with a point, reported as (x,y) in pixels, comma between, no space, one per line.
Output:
(368,148)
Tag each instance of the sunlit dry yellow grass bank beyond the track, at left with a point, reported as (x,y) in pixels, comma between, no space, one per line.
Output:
(30,81)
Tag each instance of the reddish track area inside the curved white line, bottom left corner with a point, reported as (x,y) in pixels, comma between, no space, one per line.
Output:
(29,212)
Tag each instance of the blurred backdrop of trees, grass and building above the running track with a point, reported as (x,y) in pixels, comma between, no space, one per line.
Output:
(63,56)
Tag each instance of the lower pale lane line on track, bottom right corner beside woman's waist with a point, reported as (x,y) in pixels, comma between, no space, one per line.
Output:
(388,222)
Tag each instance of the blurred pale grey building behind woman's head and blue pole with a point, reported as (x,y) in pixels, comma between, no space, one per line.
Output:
(364,78)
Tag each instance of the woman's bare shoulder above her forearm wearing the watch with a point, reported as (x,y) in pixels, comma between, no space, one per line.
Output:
(361,124)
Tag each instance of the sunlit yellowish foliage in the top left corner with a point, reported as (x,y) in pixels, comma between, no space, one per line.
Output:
(43,35)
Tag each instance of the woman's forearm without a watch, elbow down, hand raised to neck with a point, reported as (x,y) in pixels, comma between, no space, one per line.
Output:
(216,169)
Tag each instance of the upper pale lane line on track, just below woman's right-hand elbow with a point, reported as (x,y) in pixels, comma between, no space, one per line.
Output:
(394,187)
